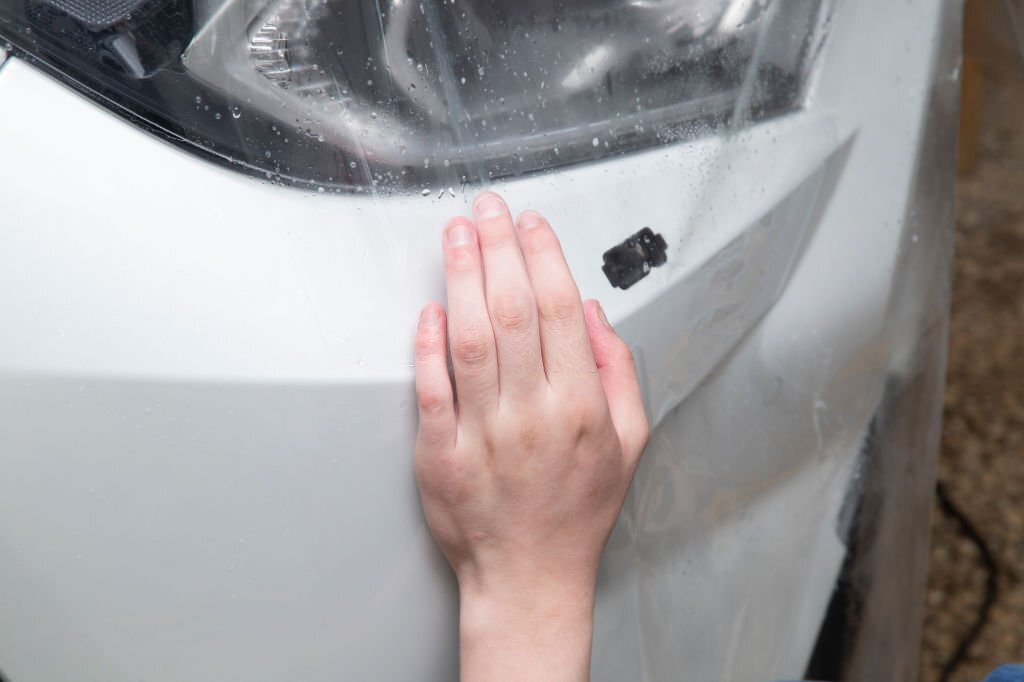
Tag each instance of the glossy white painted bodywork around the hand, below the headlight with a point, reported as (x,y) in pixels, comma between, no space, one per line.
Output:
(206,382)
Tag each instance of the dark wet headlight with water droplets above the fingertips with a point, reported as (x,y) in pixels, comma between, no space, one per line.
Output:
(424,95)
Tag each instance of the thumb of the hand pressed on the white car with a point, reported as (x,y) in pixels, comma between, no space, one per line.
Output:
(619,377)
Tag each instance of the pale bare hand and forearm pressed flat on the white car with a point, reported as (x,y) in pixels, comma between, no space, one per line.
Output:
(525,457)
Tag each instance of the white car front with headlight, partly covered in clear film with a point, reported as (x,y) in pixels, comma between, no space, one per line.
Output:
(219,220)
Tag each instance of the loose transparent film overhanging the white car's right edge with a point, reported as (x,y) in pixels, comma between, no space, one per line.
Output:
(873,627)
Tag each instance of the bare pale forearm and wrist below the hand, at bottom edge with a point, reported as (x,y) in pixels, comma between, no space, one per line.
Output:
(527,636)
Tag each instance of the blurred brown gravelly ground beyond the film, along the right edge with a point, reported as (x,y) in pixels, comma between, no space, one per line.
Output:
(975,600)
